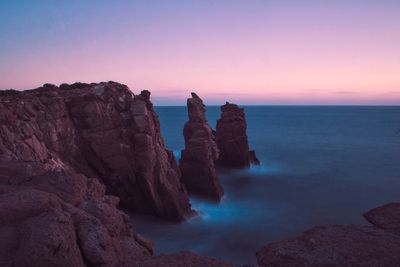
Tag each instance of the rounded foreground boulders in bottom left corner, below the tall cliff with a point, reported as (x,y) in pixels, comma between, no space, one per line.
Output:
(39,228)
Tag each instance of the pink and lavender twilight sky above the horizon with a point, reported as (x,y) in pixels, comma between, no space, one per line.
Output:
(248,52)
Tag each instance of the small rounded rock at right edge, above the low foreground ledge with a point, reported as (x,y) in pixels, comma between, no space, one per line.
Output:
(386,217)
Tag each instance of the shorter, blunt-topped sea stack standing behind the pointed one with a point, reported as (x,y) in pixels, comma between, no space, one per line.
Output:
(232,140)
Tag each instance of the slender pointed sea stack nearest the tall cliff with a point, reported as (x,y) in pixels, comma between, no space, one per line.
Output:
(200,153)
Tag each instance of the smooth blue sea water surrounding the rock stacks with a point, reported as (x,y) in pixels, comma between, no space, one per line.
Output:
(320,165)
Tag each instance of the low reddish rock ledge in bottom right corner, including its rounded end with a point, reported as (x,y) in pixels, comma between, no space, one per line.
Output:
(338,245)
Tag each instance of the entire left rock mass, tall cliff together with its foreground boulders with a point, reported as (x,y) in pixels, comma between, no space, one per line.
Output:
(58,147)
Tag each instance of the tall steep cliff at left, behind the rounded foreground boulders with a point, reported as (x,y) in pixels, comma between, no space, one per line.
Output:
(100,130)
